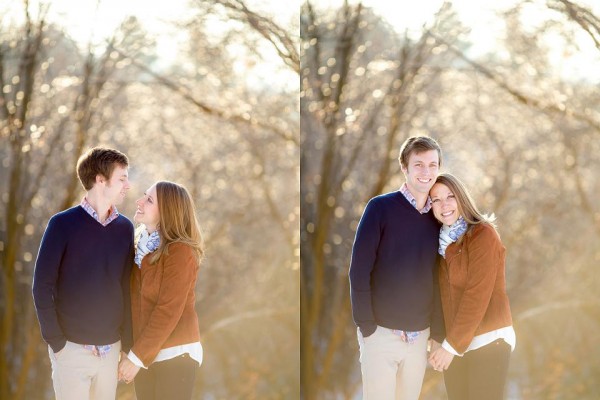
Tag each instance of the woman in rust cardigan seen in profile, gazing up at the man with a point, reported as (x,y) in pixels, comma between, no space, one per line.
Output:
(166,342)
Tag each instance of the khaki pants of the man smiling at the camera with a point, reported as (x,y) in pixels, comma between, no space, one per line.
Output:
(391,368)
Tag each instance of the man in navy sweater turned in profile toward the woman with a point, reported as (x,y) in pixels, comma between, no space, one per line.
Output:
(81,282)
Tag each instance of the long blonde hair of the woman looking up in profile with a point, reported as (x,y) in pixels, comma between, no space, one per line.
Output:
(177,220)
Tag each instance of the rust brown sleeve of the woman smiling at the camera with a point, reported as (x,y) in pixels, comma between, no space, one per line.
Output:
(481,278)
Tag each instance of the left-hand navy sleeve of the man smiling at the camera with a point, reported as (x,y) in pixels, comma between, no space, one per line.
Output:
(364,253)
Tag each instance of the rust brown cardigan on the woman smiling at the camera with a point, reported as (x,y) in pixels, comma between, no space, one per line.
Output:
(473,287)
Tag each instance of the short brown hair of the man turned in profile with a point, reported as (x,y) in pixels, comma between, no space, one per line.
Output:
(99,160)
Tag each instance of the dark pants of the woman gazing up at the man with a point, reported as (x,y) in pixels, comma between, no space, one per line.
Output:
(170,379)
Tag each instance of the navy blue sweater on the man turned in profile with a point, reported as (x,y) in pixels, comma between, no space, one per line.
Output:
(81,280)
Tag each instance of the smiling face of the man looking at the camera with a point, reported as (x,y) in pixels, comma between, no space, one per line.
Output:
(421,171)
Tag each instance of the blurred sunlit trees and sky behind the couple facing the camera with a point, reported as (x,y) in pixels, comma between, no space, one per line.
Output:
(510,91)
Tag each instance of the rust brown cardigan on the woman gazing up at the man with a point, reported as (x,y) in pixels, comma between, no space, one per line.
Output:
(162,302)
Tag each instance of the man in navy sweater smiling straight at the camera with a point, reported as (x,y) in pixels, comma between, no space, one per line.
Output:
(393,279)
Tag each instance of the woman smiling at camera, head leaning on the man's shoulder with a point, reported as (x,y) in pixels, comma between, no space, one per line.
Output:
(473,290)
